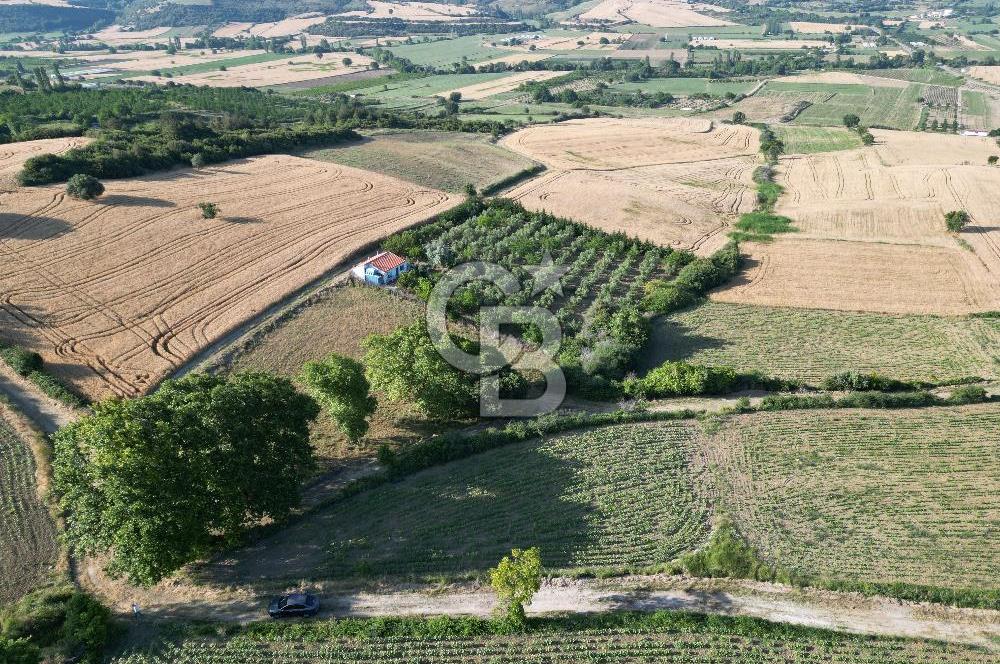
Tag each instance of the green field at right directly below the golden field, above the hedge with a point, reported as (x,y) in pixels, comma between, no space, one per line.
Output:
(810,344)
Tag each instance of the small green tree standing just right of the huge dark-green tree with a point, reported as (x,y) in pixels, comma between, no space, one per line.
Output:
(338,383)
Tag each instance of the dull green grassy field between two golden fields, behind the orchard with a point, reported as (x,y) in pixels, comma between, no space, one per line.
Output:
(438,159)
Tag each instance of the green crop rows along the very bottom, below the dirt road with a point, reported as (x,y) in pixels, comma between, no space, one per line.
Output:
(682,639)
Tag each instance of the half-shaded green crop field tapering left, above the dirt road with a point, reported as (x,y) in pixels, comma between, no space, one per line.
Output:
(584,499)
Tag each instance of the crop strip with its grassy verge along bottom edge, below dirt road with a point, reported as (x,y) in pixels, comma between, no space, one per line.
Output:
(679,637)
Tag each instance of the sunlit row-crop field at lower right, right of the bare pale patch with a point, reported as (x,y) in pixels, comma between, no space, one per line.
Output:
(898,496)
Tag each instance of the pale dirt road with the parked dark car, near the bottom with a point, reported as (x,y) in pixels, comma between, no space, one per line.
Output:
(844,612)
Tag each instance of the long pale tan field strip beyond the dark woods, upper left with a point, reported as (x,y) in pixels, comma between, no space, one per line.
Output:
(273,72)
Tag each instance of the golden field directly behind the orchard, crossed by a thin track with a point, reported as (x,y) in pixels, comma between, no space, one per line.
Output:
(678,182)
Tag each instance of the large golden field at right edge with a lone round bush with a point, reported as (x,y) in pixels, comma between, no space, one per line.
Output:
(871,230)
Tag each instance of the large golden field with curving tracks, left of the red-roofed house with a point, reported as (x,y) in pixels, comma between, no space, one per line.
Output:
(119,292)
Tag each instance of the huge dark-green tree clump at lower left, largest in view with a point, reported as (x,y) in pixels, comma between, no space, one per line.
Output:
(157,481)
